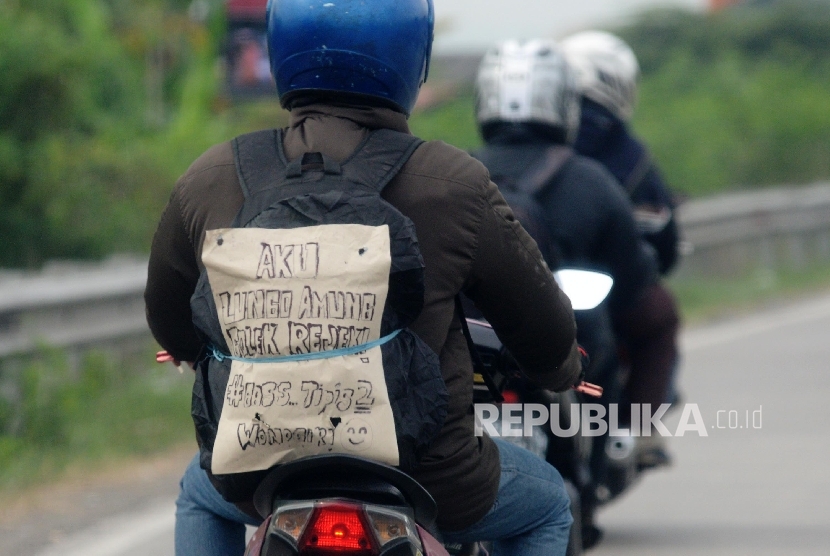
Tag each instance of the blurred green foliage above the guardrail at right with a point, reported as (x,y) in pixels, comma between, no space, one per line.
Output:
(737,98)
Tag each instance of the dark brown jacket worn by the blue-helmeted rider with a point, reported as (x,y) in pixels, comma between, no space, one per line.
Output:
(470,242)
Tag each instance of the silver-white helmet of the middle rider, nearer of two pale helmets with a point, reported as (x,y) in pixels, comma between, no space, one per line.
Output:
(527,82)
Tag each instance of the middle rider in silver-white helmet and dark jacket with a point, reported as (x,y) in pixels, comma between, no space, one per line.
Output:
(527,109)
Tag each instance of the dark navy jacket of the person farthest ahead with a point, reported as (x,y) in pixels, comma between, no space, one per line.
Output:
(606,139)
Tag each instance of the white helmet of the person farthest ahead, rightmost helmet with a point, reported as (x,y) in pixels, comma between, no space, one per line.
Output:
(606,68)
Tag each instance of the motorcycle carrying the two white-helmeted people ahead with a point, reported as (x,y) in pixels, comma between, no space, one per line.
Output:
(596,469)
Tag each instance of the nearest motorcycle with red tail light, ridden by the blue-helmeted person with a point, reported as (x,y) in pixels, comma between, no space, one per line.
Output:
(337,504)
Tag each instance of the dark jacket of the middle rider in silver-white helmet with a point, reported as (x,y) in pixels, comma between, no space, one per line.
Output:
(590,221)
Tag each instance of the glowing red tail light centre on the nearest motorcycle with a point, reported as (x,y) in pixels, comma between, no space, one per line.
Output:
(338,529)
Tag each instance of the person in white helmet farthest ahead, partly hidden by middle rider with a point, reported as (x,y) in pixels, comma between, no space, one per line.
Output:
(607,74)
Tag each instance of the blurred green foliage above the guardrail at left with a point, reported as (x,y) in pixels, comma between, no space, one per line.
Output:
(91,137)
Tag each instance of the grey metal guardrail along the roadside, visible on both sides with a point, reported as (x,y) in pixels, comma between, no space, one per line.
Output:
(76,305)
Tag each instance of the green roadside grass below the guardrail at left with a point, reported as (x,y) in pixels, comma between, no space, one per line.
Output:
(78,414)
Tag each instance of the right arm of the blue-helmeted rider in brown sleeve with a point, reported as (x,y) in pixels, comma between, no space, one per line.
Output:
(515,290)
